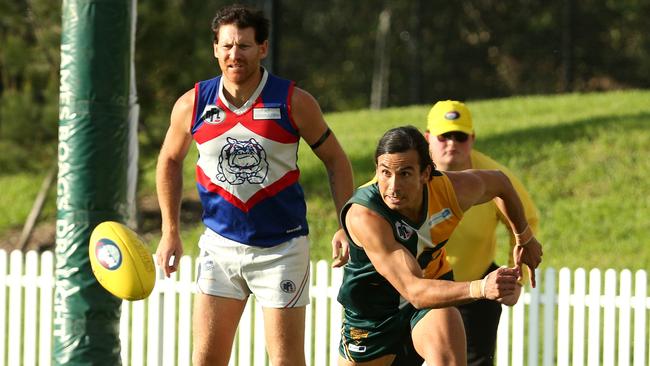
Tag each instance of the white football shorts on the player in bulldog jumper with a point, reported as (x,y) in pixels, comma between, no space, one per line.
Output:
(278,276)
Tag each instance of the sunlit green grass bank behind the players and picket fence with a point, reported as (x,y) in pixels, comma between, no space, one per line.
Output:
(583,158)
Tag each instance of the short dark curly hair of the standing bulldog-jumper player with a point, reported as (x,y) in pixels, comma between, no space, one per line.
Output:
(242,17)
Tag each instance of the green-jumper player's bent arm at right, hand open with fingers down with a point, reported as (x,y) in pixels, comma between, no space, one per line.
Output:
(478,186)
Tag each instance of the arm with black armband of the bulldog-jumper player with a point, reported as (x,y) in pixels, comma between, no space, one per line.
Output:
(312,126)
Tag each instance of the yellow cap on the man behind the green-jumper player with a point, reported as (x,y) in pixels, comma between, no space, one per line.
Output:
(449,115)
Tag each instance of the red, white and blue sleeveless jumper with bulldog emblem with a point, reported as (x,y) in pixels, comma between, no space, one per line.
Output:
(247,172)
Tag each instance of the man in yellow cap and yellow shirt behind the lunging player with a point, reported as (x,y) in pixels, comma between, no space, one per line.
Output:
(472,246)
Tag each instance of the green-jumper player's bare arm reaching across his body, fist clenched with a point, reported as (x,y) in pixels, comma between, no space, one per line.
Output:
(393,261)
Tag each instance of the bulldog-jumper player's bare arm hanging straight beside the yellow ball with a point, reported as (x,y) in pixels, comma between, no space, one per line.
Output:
(169,182)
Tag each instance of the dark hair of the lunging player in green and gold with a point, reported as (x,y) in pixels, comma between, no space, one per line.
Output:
(402,139)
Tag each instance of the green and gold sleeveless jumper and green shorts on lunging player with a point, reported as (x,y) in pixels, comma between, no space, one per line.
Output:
(377,319)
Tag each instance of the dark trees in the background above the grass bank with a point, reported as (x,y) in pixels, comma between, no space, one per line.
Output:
(434,49)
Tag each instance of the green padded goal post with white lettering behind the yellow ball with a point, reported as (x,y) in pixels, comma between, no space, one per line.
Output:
(93,179)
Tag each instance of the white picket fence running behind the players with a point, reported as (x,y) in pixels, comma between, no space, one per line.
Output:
(571,318)
